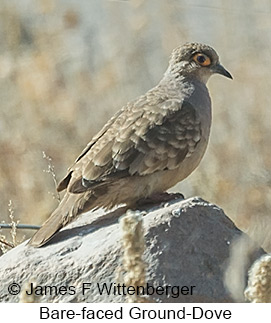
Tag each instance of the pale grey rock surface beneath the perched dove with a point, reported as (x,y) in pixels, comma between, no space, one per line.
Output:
(187,244)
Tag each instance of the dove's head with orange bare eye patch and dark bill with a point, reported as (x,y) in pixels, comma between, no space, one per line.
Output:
(197,61)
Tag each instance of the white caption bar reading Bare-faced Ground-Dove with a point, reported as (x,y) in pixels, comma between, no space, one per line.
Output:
(147,312)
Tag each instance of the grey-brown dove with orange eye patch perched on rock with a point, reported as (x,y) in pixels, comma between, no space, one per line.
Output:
(148,146)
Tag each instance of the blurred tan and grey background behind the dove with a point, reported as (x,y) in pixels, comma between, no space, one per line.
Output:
(66,66)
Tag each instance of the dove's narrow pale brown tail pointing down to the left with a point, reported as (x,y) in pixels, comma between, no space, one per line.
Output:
(69,208)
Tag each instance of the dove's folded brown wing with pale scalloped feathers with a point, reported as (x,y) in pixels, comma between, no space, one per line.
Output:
(138,142)
